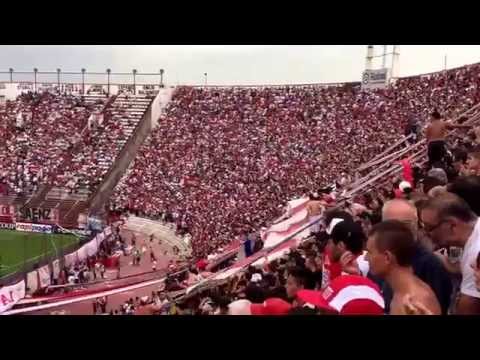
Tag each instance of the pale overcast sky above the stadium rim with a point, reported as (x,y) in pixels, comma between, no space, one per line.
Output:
(232,64)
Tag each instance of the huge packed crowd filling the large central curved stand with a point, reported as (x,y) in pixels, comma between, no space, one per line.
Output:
(224,161)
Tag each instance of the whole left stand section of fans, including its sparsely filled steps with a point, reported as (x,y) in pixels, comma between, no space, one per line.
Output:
(64,140)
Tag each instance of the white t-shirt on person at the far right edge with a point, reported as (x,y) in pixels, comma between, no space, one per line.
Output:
(469,257)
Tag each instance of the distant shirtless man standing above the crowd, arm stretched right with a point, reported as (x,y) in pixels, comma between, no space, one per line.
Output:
(436,132)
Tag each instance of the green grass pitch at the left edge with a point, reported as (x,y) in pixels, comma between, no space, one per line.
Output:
(18,248)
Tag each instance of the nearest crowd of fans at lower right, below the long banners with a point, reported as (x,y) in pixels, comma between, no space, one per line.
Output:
(415,251)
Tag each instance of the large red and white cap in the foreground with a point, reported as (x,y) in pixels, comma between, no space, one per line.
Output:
(347,295)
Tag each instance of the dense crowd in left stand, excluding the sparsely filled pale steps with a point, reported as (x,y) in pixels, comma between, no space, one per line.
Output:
(39,132)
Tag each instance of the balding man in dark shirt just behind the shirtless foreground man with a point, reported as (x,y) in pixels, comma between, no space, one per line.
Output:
(424,263)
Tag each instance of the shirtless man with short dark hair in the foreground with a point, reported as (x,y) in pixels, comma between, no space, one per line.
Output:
(390,248)
